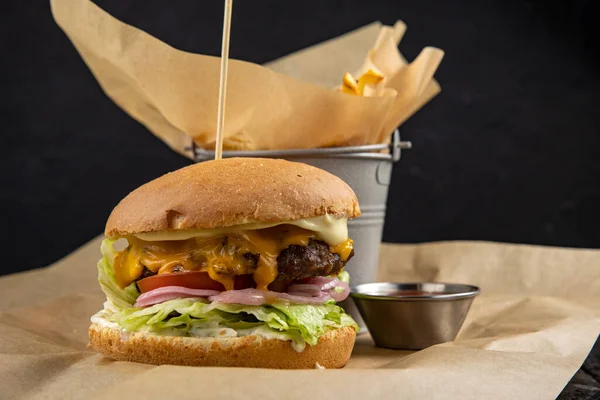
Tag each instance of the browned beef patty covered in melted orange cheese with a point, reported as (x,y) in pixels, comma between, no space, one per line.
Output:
(282,253)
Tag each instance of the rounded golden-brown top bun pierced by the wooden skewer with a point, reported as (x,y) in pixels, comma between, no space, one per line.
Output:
(230,192)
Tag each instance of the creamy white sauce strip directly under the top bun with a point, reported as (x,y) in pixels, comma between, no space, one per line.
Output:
(331,230)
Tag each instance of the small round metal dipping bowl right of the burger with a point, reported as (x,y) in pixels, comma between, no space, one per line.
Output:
(413,316)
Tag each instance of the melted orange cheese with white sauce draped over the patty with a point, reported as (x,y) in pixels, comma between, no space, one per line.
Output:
(223,253)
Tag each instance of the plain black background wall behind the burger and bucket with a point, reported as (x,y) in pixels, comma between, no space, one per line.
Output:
(509,151)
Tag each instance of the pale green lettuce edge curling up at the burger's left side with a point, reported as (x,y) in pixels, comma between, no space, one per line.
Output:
(121,298)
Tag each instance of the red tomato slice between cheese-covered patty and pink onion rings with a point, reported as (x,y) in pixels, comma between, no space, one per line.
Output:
(201,280)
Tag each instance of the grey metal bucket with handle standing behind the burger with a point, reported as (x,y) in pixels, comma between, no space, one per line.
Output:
(368,171)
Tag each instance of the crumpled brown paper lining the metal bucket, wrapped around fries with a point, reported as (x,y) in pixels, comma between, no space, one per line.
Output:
(174,93)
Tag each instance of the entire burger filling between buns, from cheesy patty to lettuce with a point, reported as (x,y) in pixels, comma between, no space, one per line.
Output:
(280,282)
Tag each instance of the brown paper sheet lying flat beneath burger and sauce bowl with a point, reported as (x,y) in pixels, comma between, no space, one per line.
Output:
(524,337)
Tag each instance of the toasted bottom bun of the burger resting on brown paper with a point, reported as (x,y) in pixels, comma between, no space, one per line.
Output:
(332,351)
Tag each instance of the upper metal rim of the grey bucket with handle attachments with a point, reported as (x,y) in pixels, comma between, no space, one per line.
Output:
(365,151)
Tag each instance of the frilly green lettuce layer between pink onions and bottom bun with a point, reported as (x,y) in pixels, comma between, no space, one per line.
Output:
(301,324)
